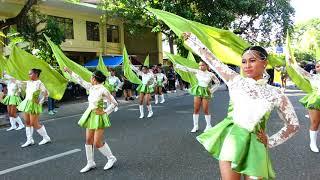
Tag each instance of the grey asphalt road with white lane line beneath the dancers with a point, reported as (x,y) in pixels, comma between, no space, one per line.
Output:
(157,148)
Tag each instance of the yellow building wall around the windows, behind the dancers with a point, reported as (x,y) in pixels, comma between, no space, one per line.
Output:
(148,43)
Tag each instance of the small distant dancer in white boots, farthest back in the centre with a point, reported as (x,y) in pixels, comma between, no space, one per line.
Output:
(161,80)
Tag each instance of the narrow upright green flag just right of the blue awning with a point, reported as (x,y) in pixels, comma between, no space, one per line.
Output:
(127,71)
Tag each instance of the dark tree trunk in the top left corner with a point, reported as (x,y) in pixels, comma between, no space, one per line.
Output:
(21,15)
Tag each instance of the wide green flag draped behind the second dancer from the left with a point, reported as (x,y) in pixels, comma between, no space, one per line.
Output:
(20,63)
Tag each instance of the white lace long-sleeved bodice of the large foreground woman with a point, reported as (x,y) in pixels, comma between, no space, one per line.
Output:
(252,99)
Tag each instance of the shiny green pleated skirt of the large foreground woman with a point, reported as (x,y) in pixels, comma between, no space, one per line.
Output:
(229,142)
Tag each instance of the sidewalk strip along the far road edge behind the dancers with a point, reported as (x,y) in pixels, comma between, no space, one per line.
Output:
(71,108)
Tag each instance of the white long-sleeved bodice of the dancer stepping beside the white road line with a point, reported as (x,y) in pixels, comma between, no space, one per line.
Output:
(96,94)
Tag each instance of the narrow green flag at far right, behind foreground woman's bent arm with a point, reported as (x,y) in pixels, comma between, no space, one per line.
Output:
(301,82)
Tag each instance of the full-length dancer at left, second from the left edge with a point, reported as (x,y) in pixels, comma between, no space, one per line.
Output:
(36,94)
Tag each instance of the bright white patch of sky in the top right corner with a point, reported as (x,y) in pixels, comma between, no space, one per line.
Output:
(306,9)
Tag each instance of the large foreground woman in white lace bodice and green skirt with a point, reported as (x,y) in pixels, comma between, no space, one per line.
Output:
(239,142)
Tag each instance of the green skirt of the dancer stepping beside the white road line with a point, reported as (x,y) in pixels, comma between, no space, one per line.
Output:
(90,120)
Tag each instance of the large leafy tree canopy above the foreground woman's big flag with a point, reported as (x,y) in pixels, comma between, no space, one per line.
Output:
(255,20)
